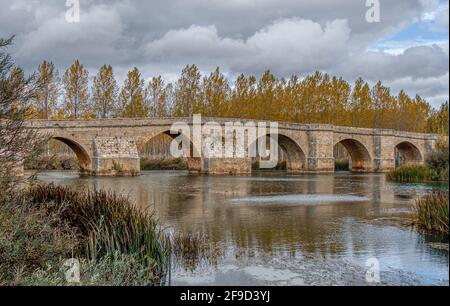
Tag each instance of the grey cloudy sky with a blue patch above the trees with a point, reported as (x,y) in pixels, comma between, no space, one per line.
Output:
(408,49)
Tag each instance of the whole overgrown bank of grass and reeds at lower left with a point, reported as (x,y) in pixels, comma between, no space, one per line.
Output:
(115,243)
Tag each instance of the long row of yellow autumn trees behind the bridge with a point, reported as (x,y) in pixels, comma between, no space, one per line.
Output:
(317,98)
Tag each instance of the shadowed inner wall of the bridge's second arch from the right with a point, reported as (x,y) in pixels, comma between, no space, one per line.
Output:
(361,160)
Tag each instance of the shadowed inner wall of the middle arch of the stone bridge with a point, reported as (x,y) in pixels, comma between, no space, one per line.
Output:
(292,154)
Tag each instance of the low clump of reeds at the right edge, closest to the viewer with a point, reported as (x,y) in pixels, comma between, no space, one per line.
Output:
(431,212)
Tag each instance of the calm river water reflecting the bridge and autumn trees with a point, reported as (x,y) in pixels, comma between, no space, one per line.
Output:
(275,229)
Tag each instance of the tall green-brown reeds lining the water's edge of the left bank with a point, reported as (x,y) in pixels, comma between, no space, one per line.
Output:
(109,225)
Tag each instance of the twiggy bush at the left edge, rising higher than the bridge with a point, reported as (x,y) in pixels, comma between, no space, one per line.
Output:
(17,143)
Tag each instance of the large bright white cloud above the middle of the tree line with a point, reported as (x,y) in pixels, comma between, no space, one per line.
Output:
(286,46)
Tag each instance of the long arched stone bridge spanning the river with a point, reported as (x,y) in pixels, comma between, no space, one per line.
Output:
(111,146)
